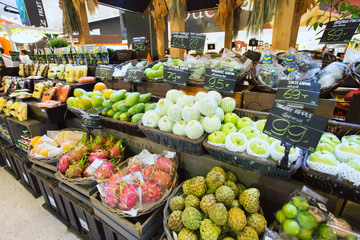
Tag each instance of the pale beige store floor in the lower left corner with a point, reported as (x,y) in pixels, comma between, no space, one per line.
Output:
(22,217)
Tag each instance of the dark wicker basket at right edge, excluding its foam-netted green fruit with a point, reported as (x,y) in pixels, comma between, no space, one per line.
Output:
(329,183)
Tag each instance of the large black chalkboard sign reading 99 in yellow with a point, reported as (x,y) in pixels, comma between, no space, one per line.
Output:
(295,126)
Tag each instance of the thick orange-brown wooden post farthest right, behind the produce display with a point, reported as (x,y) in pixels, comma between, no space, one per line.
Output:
(286,24)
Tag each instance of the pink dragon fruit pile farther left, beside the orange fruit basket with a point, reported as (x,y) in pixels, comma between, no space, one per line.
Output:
(92,158)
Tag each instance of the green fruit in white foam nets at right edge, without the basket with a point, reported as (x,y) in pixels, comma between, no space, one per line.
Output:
(336,157)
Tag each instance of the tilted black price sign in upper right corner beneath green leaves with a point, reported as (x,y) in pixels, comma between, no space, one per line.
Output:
(340,31)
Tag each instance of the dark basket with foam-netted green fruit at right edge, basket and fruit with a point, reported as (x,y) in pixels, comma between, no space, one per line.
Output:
(334,166)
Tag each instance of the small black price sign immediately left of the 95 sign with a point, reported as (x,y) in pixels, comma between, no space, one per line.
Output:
(176,74)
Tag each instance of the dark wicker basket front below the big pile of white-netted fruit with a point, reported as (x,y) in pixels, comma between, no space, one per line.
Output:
(180,143)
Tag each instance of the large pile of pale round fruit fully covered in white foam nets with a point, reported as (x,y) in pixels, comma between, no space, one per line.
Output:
(189,116)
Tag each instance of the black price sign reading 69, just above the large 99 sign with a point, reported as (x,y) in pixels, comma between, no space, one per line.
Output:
(298,92)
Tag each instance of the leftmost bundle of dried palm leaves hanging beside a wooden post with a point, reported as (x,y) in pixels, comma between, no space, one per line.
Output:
(71,22)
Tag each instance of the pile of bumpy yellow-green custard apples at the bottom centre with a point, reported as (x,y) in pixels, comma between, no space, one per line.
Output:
(216,207)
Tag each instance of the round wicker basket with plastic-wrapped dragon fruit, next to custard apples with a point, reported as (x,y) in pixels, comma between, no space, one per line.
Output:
(141,184)
